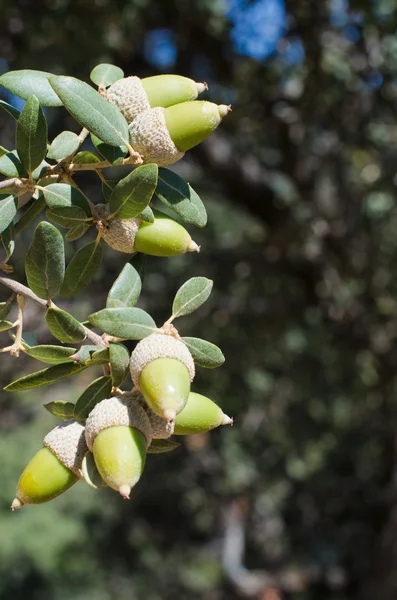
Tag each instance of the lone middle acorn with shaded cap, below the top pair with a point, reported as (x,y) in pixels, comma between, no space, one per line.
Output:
(164,237)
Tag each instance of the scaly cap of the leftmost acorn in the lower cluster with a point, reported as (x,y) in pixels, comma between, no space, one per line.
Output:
(68,443)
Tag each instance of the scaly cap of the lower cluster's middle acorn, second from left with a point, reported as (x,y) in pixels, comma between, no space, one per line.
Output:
(117,411)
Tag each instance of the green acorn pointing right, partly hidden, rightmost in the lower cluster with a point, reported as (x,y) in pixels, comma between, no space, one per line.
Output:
(199,416)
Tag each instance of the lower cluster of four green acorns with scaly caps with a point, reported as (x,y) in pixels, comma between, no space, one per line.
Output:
(120,429)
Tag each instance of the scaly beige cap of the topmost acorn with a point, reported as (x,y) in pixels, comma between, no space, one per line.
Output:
(129,95)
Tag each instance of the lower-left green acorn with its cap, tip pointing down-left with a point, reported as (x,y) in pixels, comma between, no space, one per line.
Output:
(55,468)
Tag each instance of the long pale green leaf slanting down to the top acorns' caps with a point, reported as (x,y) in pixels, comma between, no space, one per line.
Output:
(91,110)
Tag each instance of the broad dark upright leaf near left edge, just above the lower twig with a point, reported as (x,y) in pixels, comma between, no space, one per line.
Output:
(45,261)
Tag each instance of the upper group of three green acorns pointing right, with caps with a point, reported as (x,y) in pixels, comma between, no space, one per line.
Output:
(165,121)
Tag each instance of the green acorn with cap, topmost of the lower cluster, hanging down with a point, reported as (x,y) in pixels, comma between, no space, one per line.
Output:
(162,369)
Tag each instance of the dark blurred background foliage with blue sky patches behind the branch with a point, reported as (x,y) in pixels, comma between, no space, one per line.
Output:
(298,500)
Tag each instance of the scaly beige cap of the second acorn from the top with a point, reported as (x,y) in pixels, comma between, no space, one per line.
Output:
(149,137)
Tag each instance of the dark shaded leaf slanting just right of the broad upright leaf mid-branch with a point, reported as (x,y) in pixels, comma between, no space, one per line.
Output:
(82,269)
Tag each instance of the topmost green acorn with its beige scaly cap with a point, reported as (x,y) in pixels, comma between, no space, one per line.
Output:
(133,95)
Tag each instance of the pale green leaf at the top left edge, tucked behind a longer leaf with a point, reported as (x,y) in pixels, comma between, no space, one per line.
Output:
(25,83)
